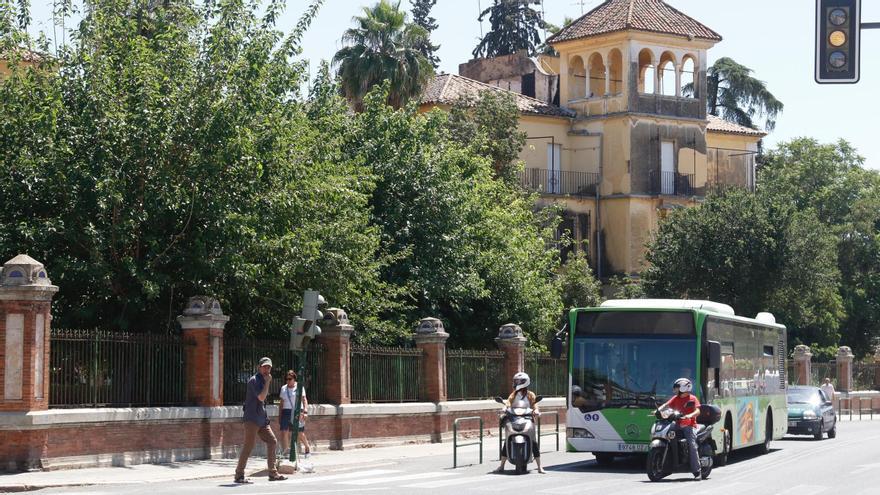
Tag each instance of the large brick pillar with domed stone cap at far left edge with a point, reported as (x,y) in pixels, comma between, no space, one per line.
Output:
(25,312)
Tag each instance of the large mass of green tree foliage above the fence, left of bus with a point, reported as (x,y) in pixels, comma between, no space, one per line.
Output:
(170,152)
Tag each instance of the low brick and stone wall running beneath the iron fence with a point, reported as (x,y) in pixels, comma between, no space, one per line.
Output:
(75,438)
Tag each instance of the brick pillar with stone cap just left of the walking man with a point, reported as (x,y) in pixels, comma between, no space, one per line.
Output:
(202,323)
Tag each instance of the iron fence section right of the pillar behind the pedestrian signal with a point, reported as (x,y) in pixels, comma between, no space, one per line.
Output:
(386,374)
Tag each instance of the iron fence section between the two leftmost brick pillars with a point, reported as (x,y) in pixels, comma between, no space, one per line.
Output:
(102,368)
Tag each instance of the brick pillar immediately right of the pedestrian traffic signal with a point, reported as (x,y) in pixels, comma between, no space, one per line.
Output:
(335,371)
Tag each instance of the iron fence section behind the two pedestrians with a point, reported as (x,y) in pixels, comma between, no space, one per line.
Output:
(241,357)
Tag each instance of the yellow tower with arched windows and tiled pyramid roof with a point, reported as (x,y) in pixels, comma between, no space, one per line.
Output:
(634,74)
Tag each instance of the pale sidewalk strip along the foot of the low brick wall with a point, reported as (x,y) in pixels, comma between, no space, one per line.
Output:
(324,461)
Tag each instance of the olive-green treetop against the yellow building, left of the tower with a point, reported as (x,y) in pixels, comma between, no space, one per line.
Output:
(490,126)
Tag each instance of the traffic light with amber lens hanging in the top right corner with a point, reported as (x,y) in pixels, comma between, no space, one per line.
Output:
(838,25)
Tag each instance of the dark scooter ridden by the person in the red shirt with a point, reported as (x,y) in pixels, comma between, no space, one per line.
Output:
(669,450)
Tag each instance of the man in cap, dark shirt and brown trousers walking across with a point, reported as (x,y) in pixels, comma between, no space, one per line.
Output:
(256,422)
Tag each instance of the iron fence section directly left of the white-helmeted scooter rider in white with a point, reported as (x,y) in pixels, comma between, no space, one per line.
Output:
(475,374)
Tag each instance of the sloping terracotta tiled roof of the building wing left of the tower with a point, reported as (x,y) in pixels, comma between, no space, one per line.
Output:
(447,89)
